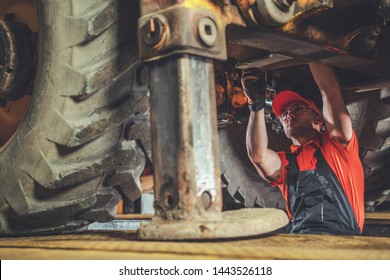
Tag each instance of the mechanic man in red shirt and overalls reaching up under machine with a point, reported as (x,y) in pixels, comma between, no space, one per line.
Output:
(322,178)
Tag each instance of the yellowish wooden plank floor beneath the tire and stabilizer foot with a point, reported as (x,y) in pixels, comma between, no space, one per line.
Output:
(124,245)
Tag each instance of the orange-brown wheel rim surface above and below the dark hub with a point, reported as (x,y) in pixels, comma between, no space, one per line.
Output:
(13,113)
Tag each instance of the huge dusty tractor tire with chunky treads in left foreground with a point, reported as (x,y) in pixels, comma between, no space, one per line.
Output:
(76,151)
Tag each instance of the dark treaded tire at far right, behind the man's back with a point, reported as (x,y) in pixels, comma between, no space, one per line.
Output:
(370,113)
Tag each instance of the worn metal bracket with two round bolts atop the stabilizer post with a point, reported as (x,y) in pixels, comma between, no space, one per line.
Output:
(181,30)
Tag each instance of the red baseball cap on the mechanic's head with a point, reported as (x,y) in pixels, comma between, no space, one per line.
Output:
(285,97)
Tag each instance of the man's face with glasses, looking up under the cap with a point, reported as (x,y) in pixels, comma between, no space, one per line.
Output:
(297,119)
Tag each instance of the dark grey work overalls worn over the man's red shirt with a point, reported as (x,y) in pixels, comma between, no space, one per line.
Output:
(318,203)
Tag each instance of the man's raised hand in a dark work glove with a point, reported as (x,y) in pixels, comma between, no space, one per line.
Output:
(254,86)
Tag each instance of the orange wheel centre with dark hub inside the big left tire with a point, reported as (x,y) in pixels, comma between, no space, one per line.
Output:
(18,55)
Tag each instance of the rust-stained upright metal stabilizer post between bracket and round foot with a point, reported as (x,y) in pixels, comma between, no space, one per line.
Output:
(186,169)
